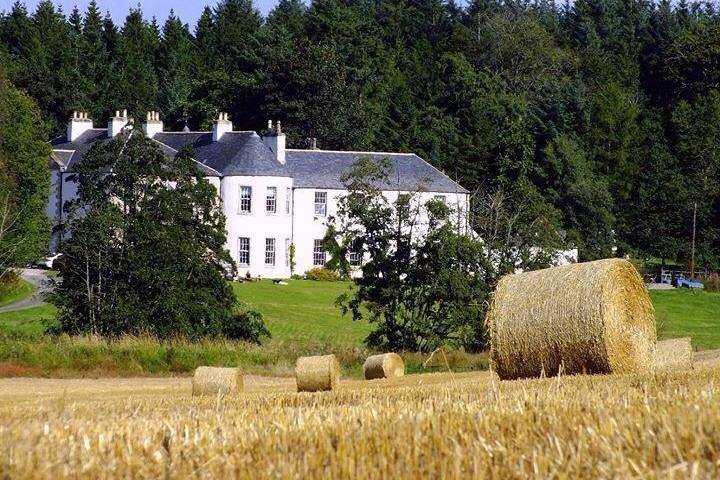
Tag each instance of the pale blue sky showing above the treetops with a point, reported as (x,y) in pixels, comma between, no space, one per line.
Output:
(187,10)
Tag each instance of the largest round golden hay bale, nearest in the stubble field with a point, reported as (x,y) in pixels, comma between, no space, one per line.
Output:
(593,317)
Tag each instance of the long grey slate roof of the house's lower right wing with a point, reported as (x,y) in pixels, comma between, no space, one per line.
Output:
(323,169)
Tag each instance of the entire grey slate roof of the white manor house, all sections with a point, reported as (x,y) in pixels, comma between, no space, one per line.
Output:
(244,154)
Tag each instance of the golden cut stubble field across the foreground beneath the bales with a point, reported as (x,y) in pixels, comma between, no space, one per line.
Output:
(434,426)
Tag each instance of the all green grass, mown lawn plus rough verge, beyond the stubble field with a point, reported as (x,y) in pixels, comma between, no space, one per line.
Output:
(303,320)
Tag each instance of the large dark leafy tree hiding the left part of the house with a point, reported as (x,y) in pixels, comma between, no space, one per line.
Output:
(146,252)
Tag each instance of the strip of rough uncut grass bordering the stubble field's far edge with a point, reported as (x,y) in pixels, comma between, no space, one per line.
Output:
(66,356)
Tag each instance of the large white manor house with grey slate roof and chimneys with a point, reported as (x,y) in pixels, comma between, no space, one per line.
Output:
(272,196)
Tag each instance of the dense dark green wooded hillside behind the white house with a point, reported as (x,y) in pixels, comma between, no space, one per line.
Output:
(604,115)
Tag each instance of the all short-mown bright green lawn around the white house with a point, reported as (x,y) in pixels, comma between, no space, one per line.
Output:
(303,313)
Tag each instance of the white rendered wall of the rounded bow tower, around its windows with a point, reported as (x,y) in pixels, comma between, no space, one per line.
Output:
(258,224)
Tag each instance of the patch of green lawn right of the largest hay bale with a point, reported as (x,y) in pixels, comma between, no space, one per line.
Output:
(685,313)
